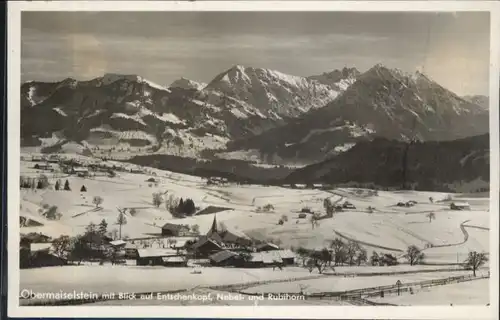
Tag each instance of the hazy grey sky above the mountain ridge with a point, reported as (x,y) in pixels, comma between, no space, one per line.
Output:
(453,49)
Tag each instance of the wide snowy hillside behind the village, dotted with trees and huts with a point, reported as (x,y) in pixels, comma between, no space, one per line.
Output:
(393,228)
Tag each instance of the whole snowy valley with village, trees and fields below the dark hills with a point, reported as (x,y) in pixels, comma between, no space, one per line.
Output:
(209,227)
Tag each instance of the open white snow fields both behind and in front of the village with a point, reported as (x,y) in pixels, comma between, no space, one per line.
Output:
(388,229)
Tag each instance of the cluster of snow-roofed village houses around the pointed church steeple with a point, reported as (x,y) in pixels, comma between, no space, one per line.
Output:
(175,248)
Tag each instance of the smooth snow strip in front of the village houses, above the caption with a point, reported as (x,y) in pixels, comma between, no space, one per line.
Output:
(107,278)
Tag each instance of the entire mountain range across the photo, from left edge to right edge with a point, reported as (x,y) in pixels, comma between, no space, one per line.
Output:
(246,114)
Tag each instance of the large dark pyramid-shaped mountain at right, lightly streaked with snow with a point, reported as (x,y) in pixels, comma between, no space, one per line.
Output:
(382,102)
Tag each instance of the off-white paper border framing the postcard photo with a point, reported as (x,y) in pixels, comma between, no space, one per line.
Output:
(289,312)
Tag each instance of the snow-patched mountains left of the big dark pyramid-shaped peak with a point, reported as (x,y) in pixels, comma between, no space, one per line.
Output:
(136,115)
